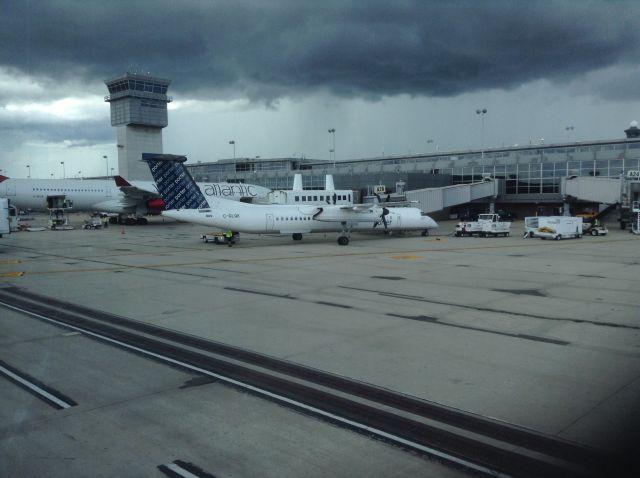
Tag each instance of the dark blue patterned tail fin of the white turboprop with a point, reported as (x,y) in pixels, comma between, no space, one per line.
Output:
(175,184)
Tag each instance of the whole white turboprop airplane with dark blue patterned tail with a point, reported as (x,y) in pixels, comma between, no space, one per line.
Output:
(185,202)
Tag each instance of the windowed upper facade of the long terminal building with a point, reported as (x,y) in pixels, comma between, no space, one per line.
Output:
(532,170)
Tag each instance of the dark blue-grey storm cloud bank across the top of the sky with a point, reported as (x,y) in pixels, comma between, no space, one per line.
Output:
(266,50)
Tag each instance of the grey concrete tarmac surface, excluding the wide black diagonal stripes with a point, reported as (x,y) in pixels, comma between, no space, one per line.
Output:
(542,334)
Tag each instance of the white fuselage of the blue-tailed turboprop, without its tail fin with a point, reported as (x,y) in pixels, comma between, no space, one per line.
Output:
(293,219)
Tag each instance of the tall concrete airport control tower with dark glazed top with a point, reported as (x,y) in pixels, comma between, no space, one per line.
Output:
(139,112)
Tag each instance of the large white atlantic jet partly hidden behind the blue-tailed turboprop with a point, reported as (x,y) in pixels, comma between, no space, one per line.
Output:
(112,195)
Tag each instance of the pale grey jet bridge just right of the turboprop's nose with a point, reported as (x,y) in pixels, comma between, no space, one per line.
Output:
(437,199)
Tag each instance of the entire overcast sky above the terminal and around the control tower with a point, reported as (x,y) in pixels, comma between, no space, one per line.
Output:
(391,77)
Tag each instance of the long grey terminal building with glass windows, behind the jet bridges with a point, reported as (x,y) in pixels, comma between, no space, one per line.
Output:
(528,178)
